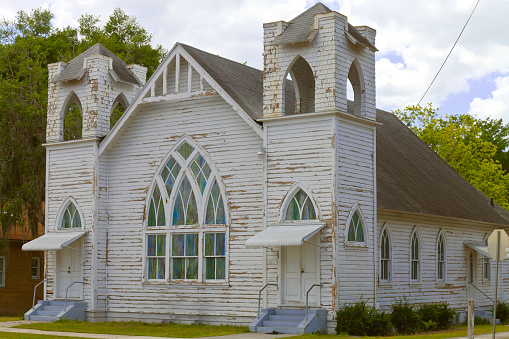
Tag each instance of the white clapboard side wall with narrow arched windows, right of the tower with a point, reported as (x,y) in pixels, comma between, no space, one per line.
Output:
(453,290)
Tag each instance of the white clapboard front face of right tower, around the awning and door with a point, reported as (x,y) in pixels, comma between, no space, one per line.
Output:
(300,151)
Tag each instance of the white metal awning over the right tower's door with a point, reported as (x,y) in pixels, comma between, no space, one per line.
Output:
(278,235)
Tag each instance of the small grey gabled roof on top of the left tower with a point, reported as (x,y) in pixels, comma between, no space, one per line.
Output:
(74,70)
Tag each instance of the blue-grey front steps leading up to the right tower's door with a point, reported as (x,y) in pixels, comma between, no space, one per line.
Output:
(291,321)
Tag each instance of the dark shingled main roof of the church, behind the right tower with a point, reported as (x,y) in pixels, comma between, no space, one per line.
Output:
(410,176)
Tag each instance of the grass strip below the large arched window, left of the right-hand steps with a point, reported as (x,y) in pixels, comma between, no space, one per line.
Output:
(138,328)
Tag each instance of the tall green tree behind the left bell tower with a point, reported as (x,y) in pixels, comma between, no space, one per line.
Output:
(27,45)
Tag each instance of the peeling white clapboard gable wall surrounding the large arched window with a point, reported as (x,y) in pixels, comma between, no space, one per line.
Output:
(132,163)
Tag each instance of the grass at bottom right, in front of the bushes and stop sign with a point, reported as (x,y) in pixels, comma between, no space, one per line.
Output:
(455,331)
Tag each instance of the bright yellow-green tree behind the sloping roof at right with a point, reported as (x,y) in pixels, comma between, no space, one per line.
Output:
(463,142)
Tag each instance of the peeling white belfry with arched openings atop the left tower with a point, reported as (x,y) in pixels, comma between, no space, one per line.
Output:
(95,81)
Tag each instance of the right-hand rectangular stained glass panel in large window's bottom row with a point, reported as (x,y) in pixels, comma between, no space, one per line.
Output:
(215,256)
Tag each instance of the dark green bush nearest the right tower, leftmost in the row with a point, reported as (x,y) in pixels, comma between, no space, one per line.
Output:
(360,319)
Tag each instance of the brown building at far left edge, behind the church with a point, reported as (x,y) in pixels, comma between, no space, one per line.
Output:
(19,273)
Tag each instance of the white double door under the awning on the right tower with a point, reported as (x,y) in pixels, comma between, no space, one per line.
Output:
(300,271)
